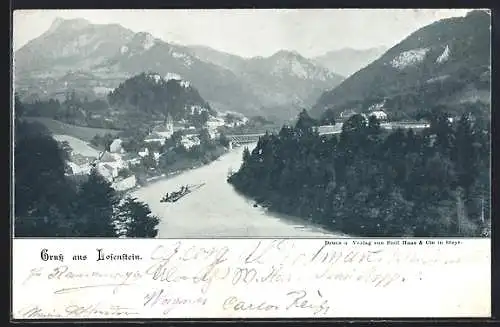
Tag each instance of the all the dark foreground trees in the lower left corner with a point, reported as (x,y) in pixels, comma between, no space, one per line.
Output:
(50,204)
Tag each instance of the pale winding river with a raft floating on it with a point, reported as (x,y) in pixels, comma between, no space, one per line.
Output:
(216,209)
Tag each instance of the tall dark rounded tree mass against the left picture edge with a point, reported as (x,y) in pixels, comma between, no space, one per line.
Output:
(42,192)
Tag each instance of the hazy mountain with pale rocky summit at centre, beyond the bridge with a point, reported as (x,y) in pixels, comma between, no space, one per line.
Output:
(285,82)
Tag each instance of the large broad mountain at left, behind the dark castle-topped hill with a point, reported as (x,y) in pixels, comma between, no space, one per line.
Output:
(108,54)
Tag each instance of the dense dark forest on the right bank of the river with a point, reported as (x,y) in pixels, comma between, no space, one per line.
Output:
(371,182)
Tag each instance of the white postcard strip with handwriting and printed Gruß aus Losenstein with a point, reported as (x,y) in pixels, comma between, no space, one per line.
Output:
(252,278)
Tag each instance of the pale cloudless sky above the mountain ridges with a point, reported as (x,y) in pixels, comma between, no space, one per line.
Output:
(251,32)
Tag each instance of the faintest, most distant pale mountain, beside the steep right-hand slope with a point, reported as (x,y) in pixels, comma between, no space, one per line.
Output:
(347,61)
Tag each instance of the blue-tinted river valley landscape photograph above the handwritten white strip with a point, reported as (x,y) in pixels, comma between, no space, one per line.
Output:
(252,123)
